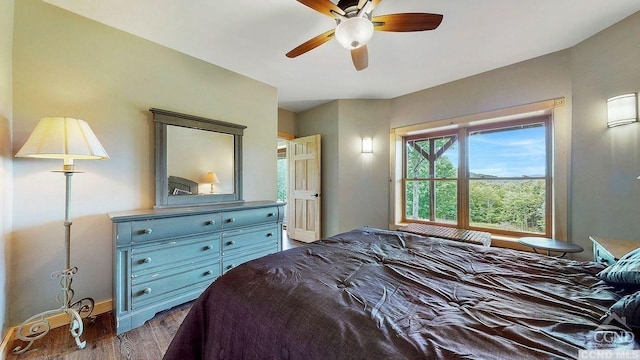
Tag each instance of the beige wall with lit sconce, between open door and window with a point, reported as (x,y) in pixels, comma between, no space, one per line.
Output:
(355,186)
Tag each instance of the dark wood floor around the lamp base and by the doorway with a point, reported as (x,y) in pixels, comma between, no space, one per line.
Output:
(148,342)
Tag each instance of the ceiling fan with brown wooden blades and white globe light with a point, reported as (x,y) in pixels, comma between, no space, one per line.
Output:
(355,26)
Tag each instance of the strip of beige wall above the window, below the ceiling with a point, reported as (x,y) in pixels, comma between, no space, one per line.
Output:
(543,78)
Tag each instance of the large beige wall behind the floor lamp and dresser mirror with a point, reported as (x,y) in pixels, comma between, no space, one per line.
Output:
(68,65)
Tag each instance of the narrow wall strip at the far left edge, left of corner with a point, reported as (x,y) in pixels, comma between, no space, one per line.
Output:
(6,182)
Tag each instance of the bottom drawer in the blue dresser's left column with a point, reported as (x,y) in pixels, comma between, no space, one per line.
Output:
(158,286)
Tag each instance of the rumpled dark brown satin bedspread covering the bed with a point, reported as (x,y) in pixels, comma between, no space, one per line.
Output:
(379,294)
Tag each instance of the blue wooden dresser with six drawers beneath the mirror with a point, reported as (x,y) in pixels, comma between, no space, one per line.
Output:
(166,257)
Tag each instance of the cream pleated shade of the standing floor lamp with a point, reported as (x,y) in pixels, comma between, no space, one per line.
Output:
(63,138)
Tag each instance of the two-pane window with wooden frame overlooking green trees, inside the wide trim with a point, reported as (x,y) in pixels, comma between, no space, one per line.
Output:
(494,177)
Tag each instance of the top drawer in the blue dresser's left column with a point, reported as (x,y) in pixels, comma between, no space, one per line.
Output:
(155,229)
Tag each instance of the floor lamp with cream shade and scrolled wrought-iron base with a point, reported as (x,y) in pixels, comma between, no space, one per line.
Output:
(67,139)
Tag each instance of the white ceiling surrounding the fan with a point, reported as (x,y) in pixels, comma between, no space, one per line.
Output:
(251,37)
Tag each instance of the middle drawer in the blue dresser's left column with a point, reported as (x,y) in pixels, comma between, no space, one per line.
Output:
(174,253)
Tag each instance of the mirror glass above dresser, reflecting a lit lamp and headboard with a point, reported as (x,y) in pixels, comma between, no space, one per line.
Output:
(200,162)
